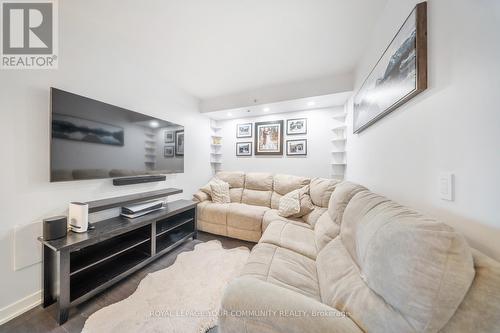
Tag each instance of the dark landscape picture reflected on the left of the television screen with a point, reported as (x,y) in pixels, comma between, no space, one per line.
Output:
(79,129)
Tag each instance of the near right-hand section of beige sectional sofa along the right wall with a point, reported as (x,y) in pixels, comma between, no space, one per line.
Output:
(365,264)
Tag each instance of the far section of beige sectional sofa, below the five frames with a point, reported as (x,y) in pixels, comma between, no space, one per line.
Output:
(254,203)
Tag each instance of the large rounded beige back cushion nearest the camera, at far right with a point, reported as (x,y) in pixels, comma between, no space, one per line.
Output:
(419,267)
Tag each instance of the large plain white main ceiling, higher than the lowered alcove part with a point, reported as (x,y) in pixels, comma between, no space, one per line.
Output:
(219,47)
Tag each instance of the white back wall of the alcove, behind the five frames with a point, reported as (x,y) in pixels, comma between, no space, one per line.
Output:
(315,164)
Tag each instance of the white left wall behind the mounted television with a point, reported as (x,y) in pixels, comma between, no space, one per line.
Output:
(91,65)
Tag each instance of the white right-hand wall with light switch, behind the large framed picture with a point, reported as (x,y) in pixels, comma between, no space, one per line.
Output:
(453,126)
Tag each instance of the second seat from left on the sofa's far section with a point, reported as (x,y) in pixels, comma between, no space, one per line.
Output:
(246,217)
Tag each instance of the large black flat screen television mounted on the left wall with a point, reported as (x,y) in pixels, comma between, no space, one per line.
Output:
(92,139)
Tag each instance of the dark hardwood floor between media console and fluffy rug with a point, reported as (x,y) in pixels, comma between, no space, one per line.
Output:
(39,320)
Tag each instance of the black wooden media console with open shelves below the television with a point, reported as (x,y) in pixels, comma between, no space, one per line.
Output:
(79,266)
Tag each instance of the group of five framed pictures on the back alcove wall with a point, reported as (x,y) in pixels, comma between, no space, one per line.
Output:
(278,137)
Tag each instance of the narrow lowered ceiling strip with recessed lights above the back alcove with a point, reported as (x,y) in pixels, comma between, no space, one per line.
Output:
(301,104)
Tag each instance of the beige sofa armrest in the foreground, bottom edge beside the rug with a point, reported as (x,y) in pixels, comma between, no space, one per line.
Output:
(253,306)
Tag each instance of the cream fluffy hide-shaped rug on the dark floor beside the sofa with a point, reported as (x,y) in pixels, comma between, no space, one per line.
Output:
(182,298)
